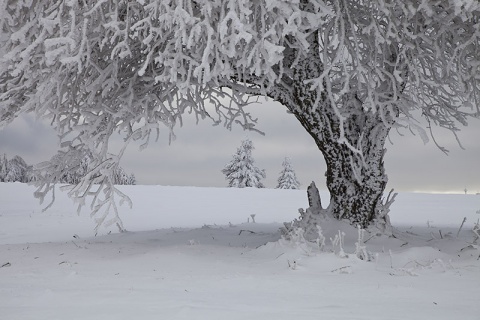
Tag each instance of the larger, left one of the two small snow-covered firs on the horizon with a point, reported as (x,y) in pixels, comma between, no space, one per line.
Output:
(241,171)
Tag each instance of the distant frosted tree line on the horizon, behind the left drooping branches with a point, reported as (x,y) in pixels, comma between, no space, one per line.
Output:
(17,170)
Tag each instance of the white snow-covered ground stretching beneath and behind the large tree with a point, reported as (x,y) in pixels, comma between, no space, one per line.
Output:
(190,254)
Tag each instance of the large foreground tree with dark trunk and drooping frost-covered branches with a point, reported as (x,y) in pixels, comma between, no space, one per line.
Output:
(349,70)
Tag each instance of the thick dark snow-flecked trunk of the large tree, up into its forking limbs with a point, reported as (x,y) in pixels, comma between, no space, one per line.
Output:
(356,180)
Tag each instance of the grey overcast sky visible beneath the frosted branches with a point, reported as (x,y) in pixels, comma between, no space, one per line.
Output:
(199,153)
